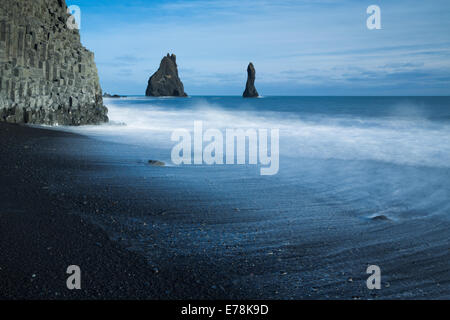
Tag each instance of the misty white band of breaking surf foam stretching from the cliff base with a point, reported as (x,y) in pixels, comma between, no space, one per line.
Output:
(411,141)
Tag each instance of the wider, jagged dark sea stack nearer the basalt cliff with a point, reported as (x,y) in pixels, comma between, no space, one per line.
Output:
(165,82)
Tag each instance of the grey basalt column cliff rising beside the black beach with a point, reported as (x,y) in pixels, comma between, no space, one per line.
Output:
(46,75)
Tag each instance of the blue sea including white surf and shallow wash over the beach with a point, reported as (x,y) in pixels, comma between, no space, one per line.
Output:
(361,181)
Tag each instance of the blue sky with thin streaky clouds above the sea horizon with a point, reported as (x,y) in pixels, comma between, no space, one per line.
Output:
(298,47)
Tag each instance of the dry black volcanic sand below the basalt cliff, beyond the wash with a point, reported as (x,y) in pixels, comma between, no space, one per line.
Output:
(39,240)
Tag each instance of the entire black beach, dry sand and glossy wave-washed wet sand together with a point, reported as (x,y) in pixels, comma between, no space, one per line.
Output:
(143,232)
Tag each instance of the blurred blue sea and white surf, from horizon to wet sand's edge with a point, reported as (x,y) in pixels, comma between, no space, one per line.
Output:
(387,155)
